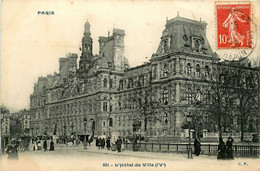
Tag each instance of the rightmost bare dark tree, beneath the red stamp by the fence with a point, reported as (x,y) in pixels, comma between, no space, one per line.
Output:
(245,98)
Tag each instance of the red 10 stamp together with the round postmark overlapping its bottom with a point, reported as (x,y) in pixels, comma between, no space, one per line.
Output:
(235,29)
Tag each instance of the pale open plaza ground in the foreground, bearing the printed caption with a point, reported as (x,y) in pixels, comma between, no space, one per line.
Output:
(75,158)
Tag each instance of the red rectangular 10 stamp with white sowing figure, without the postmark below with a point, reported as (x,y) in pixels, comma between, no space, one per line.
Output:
(233,25)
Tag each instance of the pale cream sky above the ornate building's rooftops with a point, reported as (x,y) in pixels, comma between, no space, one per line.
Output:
(32,44)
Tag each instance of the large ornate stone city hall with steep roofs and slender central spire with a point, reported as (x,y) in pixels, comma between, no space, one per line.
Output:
(109,95)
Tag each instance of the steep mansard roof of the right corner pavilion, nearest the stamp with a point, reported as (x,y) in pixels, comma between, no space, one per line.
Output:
(182,34)
